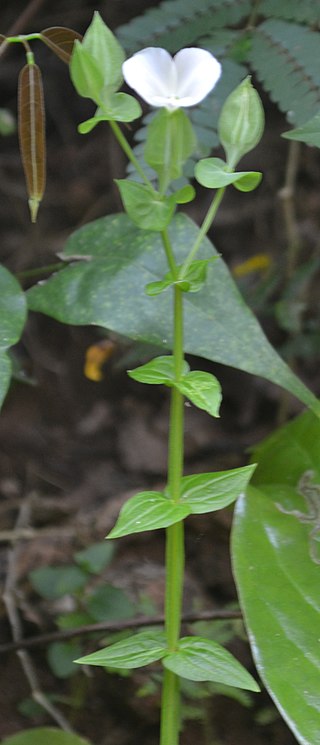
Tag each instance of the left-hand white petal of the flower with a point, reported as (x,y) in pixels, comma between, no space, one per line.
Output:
(152,74)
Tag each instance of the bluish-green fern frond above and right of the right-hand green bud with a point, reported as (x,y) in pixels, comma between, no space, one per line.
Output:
(283,57)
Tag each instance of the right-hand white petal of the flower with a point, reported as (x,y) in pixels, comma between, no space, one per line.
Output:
(197,71)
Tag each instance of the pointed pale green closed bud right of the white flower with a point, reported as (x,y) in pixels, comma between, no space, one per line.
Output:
(241,122)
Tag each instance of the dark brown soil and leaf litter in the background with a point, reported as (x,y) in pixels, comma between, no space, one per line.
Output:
(73,450)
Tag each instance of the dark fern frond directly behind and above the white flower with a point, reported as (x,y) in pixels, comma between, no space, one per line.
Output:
(177,23)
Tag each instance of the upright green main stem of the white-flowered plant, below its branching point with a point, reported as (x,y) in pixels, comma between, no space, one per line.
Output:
(170,711)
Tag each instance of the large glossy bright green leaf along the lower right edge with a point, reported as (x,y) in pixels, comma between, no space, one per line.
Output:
(278,582)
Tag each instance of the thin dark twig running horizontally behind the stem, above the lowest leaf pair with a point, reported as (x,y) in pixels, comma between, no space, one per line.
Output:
(43,639)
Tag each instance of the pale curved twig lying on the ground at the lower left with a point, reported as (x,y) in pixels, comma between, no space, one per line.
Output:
(16,627)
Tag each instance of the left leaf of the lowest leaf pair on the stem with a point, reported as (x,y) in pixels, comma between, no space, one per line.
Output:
(136,651)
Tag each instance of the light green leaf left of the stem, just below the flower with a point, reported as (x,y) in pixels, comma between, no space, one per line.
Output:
(146,208)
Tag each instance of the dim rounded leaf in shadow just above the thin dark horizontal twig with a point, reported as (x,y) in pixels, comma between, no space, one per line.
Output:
(109,603)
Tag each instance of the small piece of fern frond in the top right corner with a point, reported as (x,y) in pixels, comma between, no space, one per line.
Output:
(300,11)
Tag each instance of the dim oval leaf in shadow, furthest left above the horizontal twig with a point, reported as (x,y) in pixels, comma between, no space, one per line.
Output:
(54,582)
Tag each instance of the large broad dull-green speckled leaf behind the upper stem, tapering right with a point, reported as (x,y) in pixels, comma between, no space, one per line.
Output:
(108,291)
